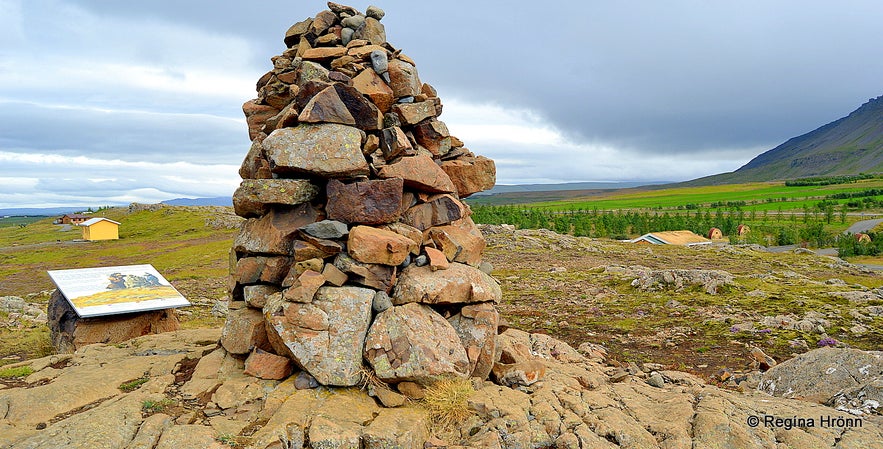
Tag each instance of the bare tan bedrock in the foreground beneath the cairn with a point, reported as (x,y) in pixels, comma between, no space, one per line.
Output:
(182,390)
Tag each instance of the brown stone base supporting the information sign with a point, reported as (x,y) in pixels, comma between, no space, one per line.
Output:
(69,332)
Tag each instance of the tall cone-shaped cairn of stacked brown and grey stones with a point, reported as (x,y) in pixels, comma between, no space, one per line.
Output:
(357,255)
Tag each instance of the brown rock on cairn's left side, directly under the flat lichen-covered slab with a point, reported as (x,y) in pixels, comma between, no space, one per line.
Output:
(274,233)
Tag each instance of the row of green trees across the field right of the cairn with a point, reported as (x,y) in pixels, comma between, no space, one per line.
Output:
(621,224)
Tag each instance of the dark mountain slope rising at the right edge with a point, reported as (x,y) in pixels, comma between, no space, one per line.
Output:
(848,146)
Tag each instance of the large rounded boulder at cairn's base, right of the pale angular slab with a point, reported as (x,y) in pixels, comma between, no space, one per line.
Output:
(414,343)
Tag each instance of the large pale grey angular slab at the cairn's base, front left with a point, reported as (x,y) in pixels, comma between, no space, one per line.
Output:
(326,337)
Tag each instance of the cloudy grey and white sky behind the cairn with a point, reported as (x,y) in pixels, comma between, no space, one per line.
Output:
(107,102)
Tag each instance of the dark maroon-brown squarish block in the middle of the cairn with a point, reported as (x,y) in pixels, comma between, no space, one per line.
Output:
(367,202)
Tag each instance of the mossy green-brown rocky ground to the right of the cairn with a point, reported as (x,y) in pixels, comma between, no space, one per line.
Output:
(702,310)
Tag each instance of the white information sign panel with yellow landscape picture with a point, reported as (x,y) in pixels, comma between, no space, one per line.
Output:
(112,290)
